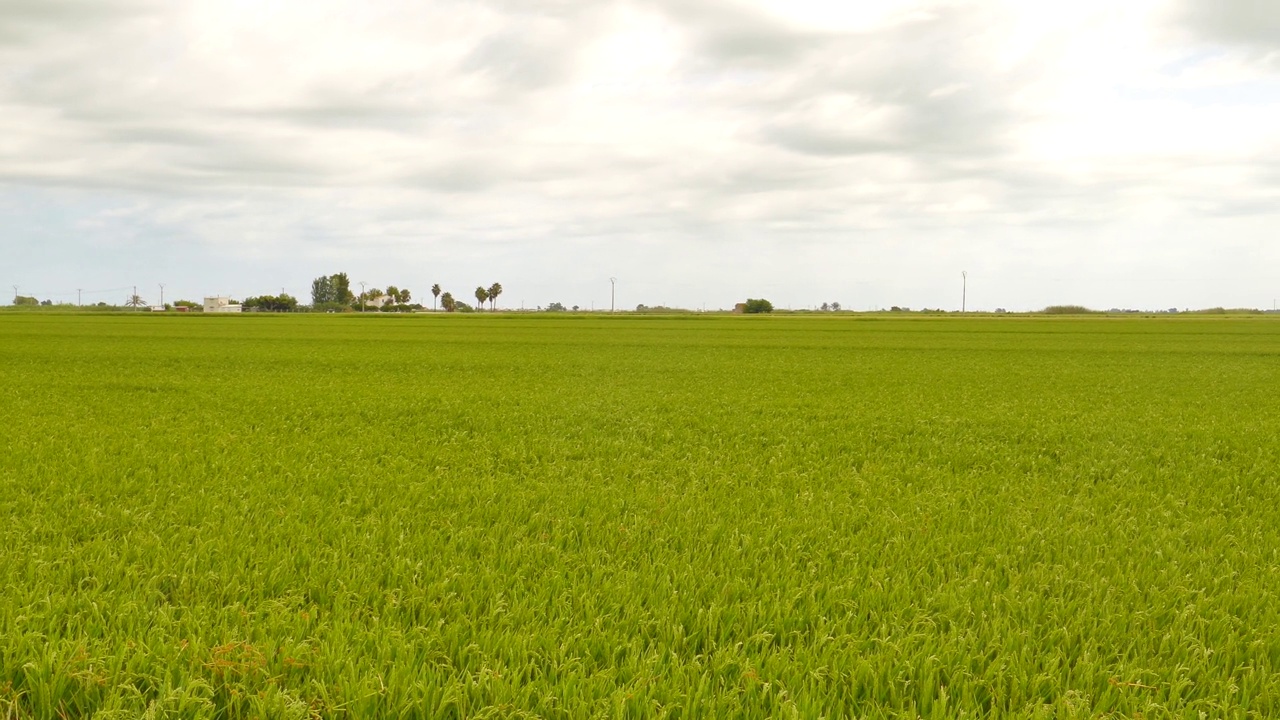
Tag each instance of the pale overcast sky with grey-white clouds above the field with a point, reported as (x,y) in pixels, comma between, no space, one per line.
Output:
(701,152)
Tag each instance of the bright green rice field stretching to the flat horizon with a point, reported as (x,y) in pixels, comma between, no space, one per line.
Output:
(637,517)
